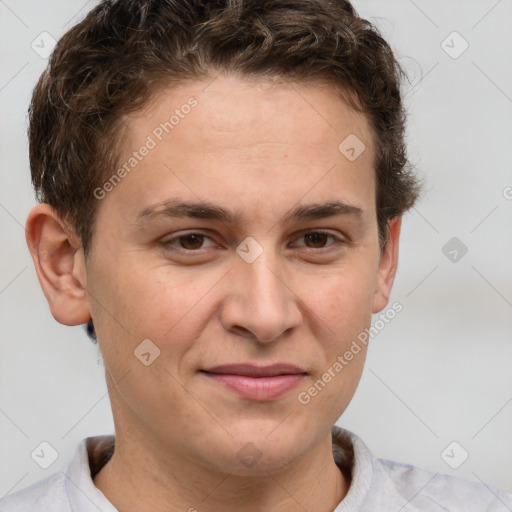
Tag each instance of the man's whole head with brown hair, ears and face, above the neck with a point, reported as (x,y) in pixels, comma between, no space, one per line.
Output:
(220,183)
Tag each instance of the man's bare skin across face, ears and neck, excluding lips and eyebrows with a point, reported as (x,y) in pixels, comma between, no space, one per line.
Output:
(259,150)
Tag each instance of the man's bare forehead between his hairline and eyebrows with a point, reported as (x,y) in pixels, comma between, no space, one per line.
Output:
(249,143)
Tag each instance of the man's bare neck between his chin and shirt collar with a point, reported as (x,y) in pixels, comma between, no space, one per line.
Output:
(138,478)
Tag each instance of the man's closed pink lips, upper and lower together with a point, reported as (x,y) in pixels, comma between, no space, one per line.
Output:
(257,383)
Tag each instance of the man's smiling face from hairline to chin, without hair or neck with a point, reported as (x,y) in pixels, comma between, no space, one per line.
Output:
(273,260)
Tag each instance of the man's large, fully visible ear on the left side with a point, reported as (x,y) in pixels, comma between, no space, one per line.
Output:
(59,263)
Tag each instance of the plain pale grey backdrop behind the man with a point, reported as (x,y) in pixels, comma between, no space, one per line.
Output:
(439,373)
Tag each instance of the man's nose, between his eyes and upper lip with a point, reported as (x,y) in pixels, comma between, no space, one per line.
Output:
(260,302)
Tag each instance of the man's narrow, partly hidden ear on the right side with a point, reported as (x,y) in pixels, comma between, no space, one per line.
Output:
(387,265)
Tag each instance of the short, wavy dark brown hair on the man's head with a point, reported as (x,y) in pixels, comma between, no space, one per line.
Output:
(112,63)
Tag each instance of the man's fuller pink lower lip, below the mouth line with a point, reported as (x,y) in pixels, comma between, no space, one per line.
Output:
(258,388)
